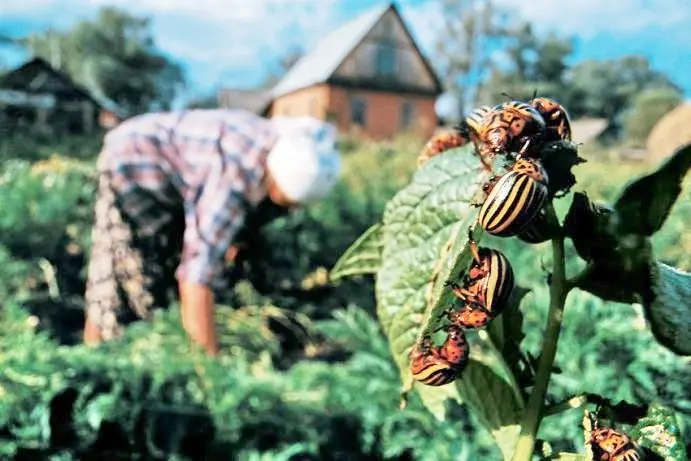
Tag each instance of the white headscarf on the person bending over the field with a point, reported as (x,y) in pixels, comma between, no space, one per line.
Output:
(304,162)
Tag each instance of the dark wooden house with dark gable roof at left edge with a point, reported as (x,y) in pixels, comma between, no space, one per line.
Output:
(37,96)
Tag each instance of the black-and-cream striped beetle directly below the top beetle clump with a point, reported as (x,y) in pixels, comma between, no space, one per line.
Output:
(515,199)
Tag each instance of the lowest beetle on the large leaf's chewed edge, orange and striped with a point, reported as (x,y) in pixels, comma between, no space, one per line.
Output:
(440,365)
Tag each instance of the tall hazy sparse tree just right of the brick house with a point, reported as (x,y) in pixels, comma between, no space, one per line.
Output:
(464,45)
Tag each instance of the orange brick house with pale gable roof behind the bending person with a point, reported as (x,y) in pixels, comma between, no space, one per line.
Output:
(368,75)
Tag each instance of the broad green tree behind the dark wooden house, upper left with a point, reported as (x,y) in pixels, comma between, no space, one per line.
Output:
(115,57)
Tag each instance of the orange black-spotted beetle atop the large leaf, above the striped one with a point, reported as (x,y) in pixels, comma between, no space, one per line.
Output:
(512,126)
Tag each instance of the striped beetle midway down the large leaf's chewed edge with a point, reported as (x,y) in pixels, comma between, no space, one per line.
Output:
(486,288)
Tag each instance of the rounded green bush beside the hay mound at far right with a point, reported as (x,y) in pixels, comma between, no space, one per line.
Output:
(646,110)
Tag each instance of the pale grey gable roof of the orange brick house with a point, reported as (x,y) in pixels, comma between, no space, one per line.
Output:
(321,62)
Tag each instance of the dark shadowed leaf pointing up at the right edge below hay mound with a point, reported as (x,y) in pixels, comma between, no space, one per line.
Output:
(644,204)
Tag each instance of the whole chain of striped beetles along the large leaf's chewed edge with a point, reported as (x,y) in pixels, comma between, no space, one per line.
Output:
(514,205)
